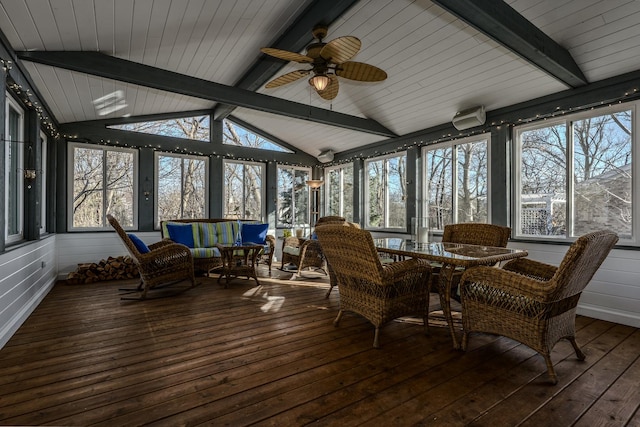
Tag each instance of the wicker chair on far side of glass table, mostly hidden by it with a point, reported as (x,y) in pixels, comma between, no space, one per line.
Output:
(470,233)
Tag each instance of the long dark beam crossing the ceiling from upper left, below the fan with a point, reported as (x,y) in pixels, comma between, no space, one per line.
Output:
(98,64)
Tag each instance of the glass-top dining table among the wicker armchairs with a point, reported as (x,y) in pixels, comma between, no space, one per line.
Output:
(452,256)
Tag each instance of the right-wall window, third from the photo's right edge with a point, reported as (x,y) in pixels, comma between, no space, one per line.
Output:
(386,192)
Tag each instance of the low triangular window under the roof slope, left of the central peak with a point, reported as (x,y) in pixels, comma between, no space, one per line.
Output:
(195,128)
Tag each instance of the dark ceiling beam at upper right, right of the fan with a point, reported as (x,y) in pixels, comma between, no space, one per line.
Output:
(502,23)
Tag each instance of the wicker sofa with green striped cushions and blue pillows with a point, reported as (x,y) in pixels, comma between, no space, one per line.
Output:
(201,235)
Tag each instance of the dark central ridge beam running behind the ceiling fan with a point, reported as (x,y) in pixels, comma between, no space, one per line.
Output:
(294,39)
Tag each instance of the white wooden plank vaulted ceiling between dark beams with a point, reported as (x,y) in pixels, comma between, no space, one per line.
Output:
(436,64)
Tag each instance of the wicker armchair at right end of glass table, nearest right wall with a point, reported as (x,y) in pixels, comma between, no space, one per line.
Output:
(532,302)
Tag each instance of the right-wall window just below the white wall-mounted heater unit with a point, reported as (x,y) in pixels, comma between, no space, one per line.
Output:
(456,185)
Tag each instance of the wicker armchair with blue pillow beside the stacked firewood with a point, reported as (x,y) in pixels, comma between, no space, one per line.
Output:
(165,263)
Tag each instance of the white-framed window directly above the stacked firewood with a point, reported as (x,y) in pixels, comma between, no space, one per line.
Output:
(103,181)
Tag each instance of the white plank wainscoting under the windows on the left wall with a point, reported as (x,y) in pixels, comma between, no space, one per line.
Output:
(27,273)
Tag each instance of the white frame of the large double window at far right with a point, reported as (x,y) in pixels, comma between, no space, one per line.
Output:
(568,121)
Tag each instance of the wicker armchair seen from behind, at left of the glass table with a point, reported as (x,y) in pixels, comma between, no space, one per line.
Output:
(379,293)
